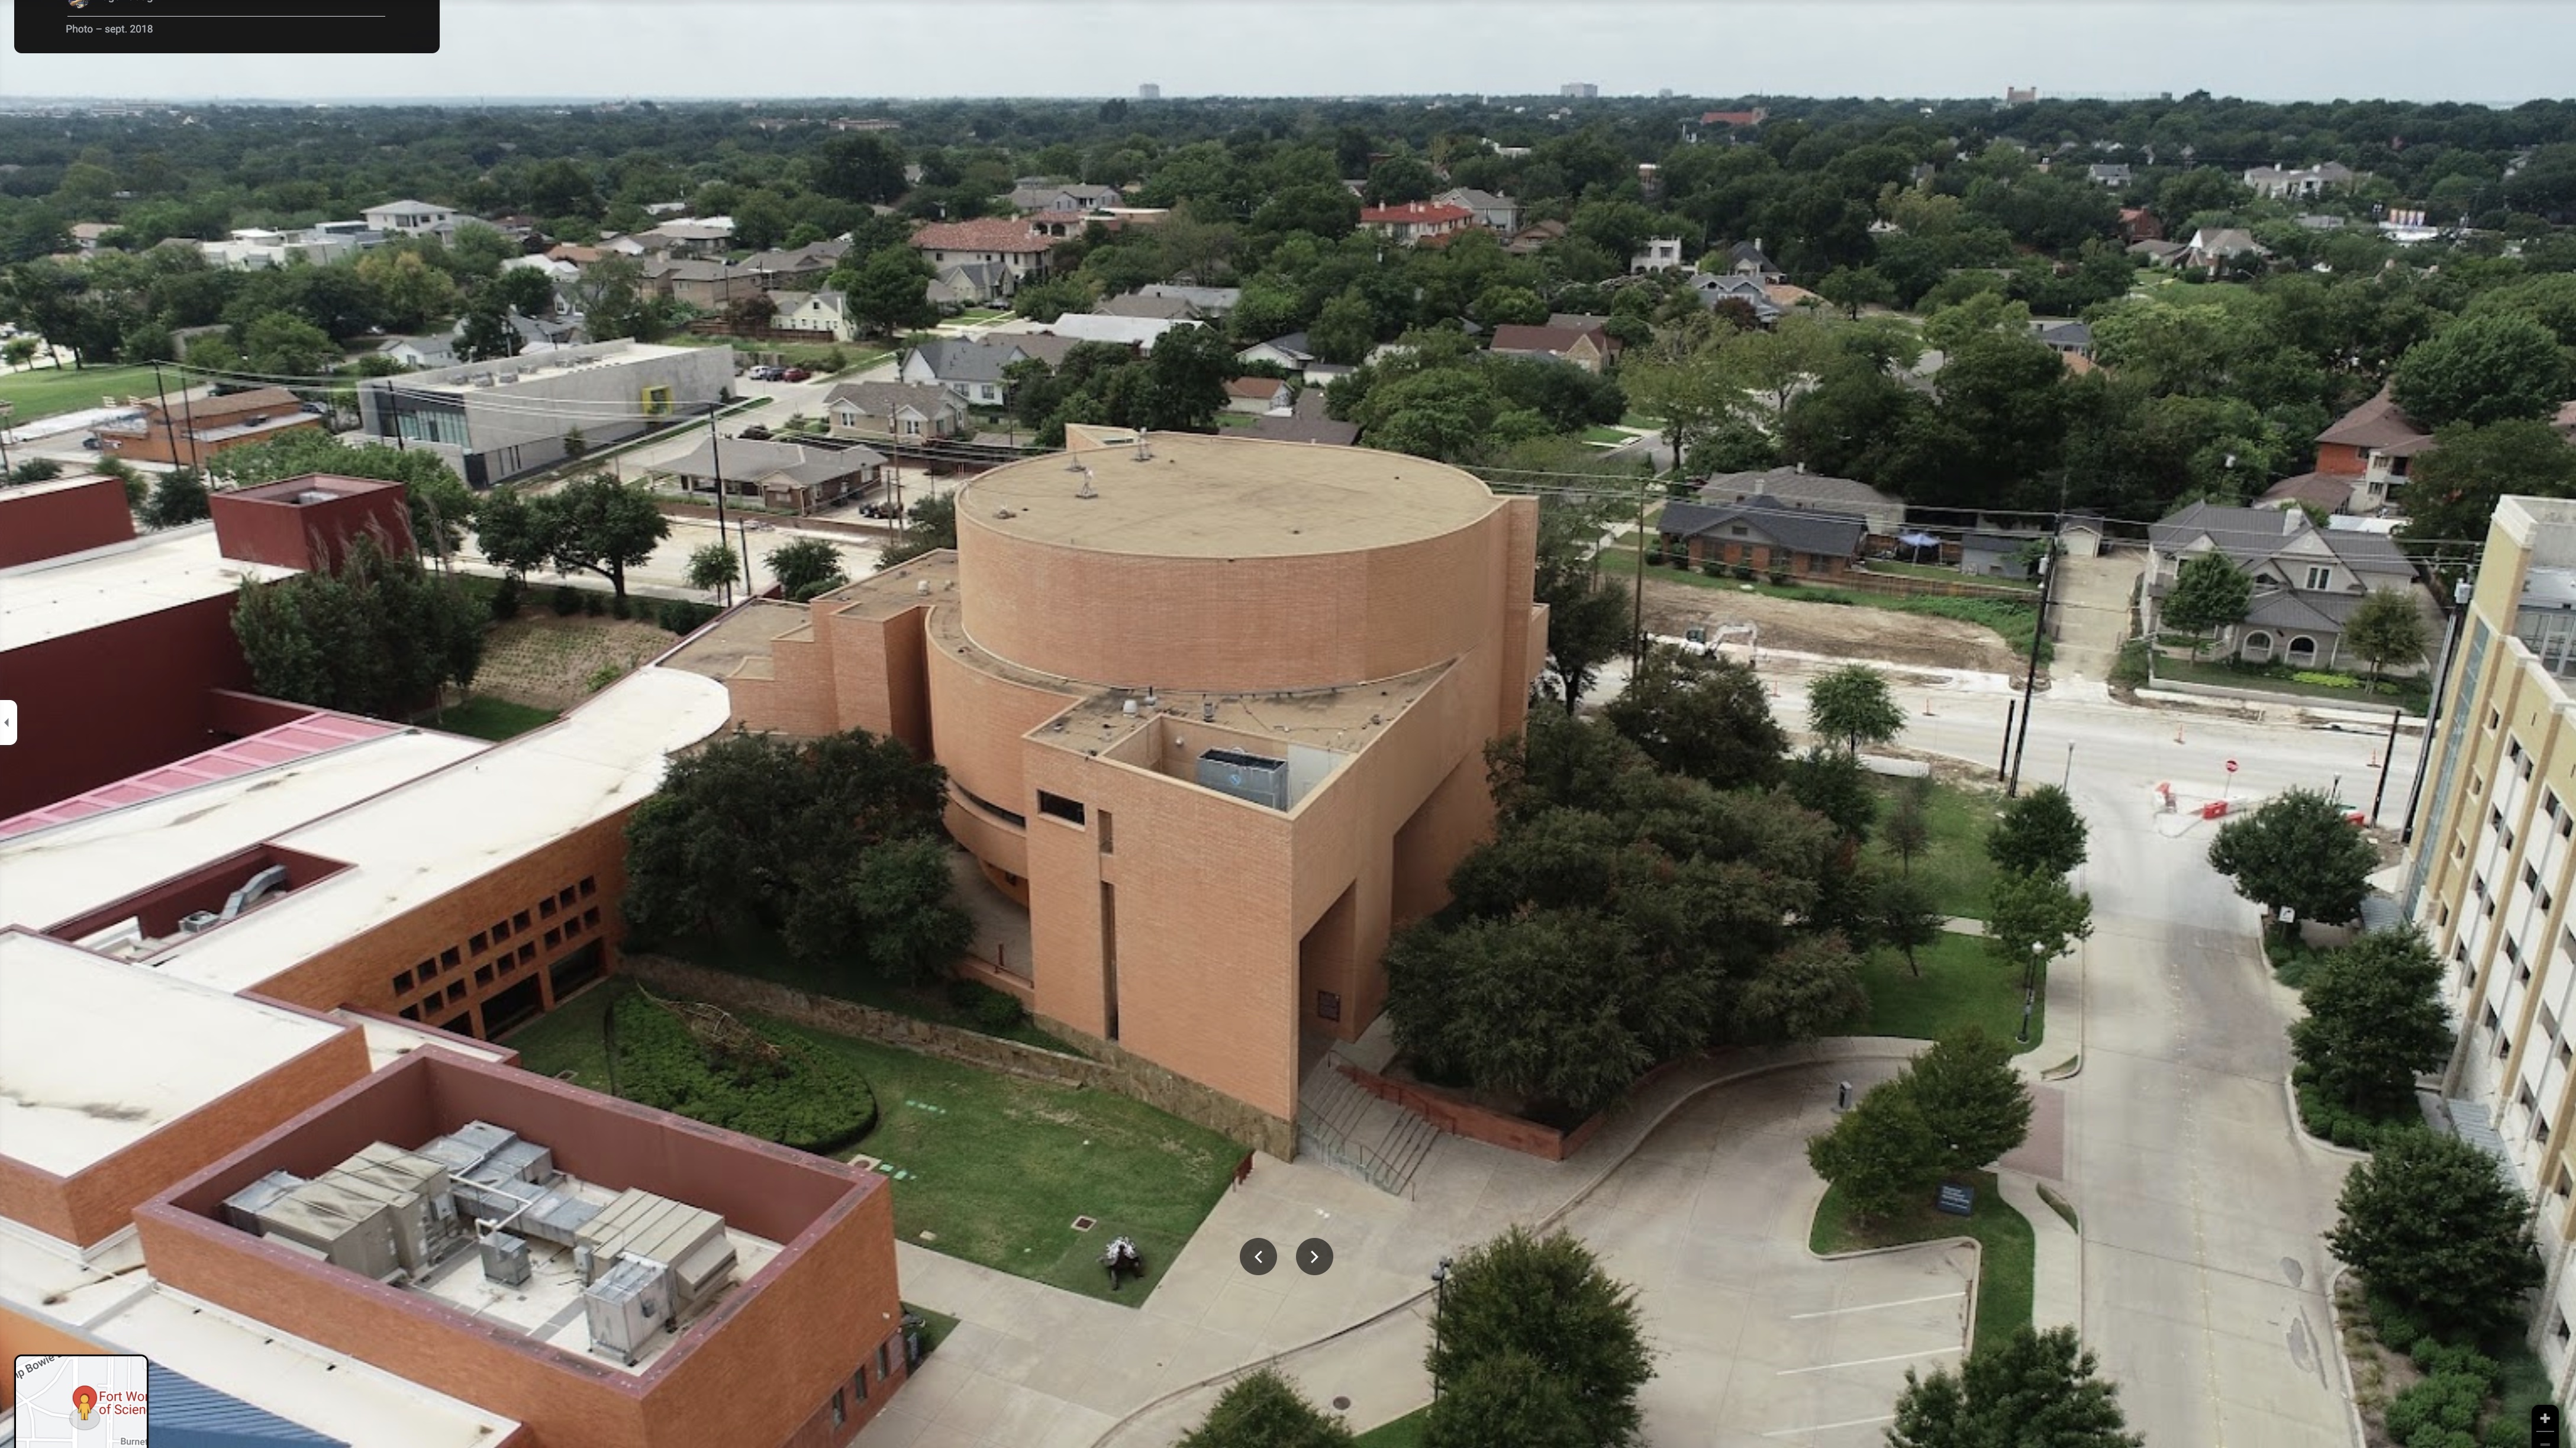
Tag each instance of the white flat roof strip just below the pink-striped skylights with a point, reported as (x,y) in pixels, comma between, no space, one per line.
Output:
(71,870)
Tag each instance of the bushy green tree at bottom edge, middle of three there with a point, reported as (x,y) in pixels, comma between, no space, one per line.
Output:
(1542,1308)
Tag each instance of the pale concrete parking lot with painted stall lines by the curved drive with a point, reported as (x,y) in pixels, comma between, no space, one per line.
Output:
(1761,1344)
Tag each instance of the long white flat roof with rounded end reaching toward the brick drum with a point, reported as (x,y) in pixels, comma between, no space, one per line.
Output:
(442,831)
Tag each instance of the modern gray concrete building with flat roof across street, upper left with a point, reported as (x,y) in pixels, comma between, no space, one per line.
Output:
(501,419)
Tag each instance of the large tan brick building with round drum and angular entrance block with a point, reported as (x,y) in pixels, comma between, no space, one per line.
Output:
(1215,710)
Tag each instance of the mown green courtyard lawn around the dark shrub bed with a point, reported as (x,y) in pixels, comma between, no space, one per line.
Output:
(988,1168)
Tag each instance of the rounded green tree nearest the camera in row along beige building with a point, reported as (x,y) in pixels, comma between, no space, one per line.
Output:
(2438,1228)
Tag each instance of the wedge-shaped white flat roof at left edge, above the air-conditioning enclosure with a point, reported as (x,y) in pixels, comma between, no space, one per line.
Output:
(99,1055)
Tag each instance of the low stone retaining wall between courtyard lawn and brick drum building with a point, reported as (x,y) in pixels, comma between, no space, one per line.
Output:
(1112,1068)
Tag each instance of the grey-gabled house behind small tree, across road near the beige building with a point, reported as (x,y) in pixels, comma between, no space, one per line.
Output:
(2307,578)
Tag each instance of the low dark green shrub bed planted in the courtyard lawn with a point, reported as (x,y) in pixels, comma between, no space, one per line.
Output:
(802,1096)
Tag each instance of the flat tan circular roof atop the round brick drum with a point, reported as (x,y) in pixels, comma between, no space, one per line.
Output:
(1225,499)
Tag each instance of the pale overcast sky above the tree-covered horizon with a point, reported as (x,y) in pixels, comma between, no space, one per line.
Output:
(2284,50)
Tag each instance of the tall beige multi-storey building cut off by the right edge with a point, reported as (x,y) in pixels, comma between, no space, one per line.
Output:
(2495,872)
